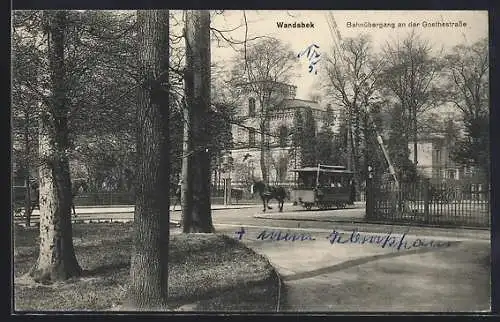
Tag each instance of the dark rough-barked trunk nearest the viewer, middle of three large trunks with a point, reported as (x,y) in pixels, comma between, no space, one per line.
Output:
(148,288)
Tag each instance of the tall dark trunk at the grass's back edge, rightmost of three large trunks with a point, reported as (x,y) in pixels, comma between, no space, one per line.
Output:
(197,218)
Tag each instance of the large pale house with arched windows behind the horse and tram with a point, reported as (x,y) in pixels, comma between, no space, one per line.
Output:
(246,136)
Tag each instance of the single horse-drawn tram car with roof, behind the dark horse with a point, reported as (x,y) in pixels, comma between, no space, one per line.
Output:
(323,186)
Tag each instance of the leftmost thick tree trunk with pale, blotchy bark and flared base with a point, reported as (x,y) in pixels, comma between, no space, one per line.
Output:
(56,260)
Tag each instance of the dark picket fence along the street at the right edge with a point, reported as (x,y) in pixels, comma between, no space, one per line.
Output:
(423,202)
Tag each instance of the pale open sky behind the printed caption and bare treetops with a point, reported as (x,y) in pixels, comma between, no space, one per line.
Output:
(264,22)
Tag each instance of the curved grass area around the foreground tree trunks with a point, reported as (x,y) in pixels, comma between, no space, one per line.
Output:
(214,271)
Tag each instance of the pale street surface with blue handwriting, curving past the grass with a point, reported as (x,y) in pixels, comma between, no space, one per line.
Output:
(321,276)
